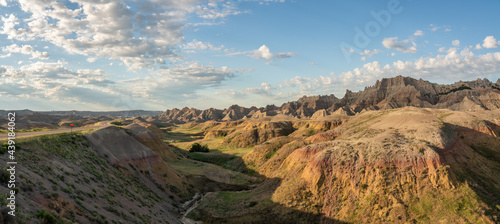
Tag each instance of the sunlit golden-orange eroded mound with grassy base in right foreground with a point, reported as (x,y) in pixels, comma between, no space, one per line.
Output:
(408,165)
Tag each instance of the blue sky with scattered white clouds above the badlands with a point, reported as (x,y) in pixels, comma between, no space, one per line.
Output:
(105,55)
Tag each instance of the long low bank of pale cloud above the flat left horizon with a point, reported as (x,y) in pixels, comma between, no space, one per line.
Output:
(55,82)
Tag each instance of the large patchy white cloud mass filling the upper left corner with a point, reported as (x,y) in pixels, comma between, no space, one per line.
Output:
(141,35)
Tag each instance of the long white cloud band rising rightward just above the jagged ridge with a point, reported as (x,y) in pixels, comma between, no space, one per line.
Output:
(453,65)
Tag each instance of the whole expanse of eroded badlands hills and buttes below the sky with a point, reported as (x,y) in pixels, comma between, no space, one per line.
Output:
(401,151)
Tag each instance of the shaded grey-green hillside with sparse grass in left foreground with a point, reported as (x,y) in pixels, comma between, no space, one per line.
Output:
(62,176)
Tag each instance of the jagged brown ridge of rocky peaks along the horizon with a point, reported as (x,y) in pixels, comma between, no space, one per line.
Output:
(387,93)
